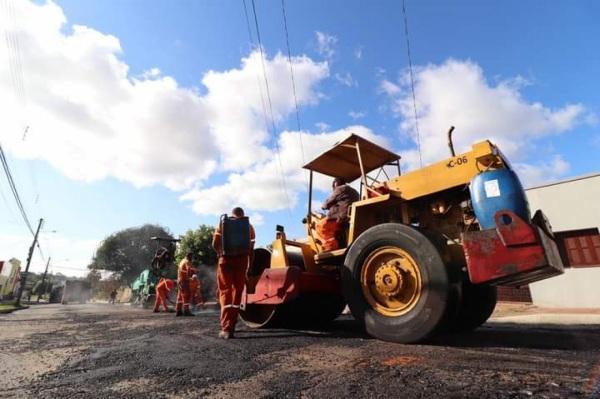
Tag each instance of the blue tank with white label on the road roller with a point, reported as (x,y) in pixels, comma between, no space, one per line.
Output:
(497,190)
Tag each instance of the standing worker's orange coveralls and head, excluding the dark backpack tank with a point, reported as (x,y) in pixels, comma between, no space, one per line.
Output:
(231,277)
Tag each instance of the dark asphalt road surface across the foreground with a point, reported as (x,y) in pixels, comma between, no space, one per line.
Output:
(103,351)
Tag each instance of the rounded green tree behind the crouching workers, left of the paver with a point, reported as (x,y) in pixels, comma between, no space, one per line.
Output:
(128,252)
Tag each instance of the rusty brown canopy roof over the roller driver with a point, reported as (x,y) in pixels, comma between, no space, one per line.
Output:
(342,159)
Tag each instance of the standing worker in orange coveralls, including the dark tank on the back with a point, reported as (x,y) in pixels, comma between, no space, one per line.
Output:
(232,266)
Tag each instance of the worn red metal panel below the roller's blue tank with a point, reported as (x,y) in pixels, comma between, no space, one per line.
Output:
(515,253)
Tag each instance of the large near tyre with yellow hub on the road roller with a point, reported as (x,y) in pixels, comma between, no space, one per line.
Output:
(396,283)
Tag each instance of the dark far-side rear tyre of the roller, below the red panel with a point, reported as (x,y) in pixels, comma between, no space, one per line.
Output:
(477,305)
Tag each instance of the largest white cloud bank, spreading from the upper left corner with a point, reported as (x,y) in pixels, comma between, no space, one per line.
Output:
(91,119)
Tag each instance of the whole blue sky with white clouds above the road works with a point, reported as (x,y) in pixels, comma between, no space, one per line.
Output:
(522,73)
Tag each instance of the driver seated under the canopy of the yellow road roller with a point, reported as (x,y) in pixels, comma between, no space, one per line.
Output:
(337,205)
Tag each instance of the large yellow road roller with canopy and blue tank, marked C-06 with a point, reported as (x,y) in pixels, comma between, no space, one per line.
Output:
(422,253)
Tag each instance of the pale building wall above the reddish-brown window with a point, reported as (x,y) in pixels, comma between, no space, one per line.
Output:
(570,205)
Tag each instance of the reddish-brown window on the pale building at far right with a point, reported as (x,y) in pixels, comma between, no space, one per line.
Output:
(579,248)
